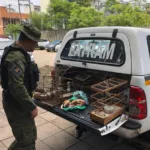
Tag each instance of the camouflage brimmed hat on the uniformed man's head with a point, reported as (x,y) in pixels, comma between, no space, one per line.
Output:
(31,32)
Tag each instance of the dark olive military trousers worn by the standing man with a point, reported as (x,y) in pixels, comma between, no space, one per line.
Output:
(24,130)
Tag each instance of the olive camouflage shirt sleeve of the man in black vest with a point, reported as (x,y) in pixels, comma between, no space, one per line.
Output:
(16,63)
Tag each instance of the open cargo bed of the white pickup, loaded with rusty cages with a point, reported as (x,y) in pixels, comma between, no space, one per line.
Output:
(87,81)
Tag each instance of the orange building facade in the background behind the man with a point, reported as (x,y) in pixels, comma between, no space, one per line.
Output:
(7,17)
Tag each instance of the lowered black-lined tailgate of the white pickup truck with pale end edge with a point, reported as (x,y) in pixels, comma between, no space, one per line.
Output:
(82,118)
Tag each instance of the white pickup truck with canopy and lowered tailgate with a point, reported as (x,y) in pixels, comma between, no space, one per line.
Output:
(104,53)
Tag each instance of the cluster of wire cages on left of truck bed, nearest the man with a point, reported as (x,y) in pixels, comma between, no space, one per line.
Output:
(54,87)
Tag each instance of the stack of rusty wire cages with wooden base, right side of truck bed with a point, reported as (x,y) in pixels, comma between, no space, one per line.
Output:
(110,101)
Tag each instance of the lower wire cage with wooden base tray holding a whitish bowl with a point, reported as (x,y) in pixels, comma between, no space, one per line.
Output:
(108,106)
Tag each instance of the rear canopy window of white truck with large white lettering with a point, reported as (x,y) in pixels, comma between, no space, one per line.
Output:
(105,51)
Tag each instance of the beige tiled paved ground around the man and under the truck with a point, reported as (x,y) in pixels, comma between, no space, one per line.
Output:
(55,133)
